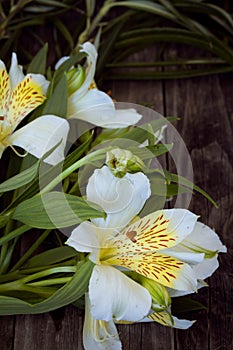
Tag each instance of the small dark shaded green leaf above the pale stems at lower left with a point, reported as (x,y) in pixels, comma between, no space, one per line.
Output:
(52,256)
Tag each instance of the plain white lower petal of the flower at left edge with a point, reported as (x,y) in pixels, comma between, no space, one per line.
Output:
(39,136)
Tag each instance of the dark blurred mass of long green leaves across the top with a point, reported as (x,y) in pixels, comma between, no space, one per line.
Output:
(123,28)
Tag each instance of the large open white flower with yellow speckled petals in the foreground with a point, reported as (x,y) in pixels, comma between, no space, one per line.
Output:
(138,247)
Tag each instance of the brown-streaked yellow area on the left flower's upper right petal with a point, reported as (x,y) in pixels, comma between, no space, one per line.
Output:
(26,96)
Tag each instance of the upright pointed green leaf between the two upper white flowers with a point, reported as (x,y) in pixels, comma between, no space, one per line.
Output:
(57,102)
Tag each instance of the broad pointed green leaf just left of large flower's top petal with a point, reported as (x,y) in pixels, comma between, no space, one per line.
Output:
(56,210)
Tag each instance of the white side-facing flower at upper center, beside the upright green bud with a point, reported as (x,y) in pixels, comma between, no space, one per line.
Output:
(94,106)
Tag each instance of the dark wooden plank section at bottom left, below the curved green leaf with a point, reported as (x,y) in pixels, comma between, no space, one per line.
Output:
(61,330)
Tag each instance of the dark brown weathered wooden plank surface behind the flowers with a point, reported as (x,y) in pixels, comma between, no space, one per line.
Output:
(206,107)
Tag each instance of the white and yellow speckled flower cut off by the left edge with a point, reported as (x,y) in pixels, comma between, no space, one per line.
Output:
(20,95)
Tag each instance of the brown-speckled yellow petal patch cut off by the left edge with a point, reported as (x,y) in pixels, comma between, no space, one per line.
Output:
(4,92)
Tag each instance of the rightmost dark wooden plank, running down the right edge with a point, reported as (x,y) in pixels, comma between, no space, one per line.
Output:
(206,107)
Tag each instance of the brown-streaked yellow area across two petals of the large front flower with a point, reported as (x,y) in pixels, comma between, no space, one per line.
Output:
(137,248)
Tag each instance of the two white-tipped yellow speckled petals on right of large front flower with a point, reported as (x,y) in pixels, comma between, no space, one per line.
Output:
(139,248)
